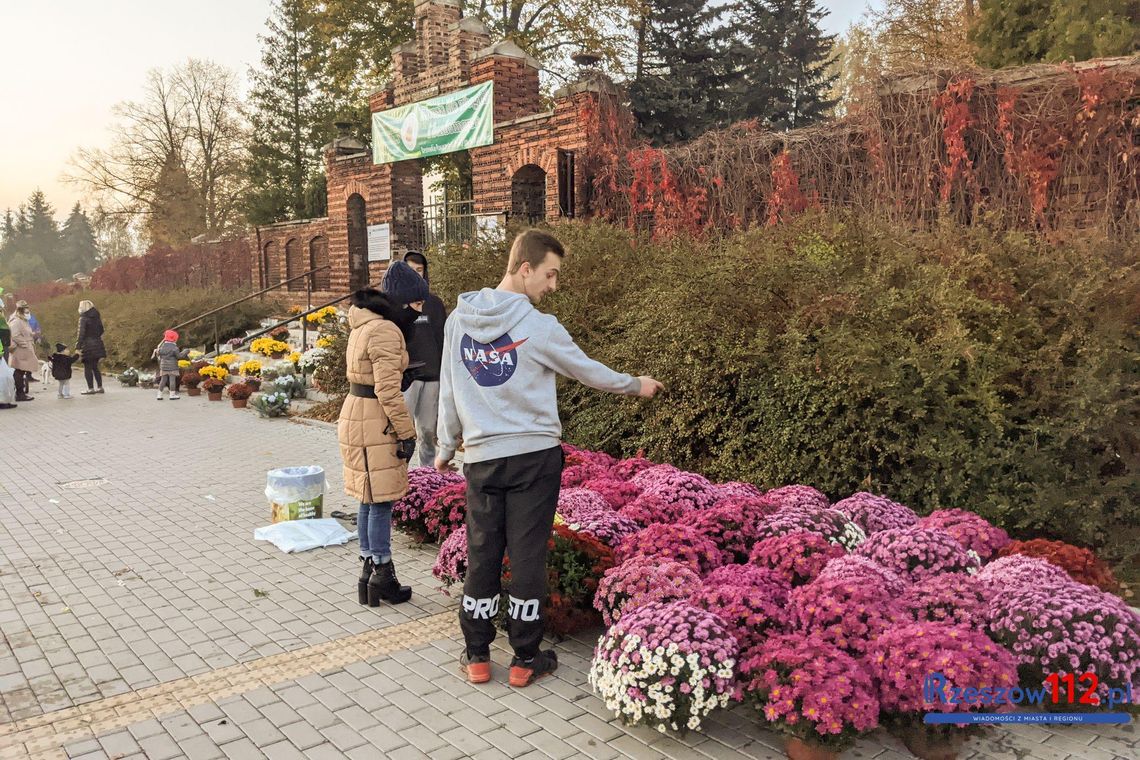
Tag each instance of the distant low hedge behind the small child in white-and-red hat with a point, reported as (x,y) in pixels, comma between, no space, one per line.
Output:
(135,322)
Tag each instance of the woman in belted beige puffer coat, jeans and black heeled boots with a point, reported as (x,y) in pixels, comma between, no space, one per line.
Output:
(376,435)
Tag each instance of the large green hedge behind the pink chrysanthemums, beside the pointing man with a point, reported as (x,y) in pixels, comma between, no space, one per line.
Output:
(954,369)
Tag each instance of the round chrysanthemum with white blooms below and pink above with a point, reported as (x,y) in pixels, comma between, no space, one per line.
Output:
(665,666)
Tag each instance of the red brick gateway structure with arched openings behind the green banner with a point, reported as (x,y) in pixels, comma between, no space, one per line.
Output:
(449,53)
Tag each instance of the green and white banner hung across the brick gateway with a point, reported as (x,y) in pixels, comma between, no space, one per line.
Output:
(451,122)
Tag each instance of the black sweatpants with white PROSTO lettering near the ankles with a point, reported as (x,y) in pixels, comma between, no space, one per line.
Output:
(511,504)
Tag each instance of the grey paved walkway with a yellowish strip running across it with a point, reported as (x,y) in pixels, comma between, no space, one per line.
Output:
(141,619)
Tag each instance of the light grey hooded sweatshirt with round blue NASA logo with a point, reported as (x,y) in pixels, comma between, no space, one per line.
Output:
(498,380)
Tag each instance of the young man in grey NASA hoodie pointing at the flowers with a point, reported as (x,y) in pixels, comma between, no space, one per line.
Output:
(498,393)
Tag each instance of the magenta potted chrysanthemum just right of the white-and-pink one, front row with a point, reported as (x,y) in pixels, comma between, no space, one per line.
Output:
(812,691)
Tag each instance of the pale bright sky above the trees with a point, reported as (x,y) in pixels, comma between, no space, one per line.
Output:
(64,64)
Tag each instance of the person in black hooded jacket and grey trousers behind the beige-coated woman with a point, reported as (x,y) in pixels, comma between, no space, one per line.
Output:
(426,349)
